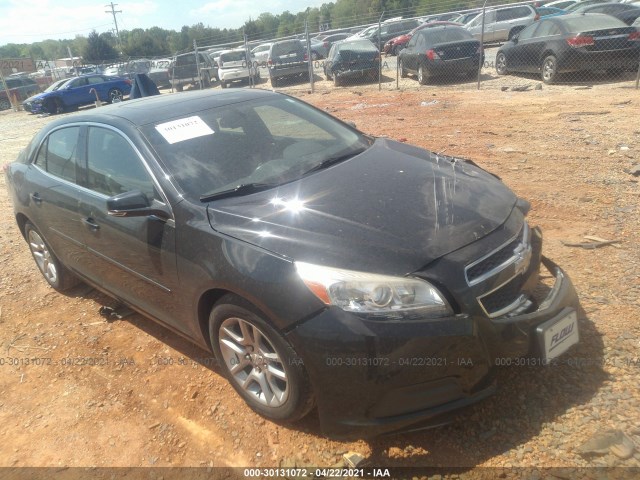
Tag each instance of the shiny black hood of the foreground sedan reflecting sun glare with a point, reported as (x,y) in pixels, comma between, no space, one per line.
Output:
(392,209)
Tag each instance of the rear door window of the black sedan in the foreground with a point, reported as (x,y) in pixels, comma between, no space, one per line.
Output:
(58,155)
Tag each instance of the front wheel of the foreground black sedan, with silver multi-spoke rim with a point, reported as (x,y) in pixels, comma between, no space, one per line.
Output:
(258,362)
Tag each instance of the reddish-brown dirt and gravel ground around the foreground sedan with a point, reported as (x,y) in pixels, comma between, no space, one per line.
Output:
(78,390)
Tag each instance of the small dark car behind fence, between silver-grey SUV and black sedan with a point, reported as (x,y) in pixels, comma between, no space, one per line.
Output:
(352,59)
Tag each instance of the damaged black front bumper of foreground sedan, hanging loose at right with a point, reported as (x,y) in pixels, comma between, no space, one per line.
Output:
(374,377)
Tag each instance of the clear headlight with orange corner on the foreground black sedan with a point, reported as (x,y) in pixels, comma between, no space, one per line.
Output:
(369,293)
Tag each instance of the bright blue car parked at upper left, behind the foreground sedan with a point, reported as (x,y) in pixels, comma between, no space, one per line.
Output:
(72,93)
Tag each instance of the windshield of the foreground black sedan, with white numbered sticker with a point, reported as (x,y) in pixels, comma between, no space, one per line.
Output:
(268,141)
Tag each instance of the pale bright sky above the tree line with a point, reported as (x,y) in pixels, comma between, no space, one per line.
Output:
(28,21)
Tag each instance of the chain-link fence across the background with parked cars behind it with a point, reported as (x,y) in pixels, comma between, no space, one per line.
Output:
(518,45)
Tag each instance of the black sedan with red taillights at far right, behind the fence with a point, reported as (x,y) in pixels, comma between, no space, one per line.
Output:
(571,43)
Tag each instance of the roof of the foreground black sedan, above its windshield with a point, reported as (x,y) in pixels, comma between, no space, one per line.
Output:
(159,108)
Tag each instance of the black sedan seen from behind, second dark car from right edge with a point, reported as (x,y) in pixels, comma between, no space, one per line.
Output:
(440,51)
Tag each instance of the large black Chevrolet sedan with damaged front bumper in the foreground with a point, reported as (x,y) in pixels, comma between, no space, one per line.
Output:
(323,267)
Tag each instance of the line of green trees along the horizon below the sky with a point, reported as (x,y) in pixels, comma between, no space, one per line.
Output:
(158,42)
